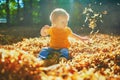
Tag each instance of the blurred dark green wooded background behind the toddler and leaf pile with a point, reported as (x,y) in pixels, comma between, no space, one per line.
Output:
(24,18)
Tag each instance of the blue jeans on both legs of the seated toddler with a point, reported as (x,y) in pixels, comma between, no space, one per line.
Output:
(46,51)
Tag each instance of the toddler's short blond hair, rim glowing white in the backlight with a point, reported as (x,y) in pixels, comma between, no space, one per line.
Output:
(58,12)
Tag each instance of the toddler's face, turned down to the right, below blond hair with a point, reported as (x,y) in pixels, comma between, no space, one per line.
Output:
(61,21)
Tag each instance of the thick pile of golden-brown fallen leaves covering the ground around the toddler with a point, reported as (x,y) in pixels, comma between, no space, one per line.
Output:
(97,60)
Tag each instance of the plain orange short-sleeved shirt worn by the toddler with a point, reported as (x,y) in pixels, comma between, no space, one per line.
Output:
(59,37)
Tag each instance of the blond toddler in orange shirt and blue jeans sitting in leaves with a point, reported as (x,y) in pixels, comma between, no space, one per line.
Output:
(59,33)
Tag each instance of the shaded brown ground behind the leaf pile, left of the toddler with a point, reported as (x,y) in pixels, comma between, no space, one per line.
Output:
(9,35)
